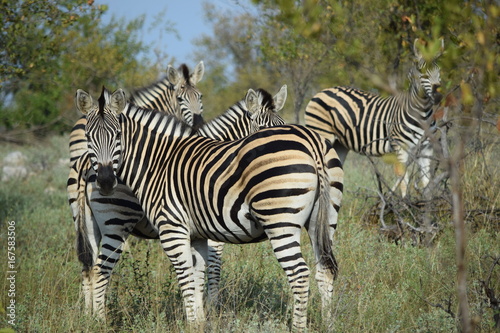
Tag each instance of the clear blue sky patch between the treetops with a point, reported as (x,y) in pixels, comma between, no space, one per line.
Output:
(186,15)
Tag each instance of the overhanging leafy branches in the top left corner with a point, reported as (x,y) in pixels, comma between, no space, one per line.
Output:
(33,33)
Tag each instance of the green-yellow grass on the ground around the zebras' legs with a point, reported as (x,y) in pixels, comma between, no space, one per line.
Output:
(382,286)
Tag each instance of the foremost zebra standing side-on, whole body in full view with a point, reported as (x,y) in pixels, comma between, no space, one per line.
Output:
(268,185)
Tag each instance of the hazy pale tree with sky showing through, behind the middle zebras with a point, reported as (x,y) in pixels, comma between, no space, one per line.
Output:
(234,60)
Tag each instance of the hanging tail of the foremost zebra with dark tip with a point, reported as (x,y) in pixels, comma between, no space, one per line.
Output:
(325,243)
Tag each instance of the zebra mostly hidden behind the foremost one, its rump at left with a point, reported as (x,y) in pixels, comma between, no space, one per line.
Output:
(175,94)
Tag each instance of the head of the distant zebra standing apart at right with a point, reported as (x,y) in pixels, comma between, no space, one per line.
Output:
(427,74)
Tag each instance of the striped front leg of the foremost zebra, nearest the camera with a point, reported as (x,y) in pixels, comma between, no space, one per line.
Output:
(175,241)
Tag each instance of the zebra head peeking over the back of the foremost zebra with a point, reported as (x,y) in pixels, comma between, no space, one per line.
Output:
(264,108)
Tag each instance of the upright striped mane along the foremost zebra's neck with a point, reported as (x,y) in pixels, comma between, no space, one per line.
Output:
(158,120)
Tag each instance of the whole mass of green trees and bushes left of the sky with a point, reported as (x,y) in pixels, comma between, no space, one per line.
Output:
(73,49)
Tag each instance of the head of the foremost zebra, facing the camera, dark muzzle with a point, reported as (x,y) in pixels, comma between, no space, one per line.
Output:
(103,133)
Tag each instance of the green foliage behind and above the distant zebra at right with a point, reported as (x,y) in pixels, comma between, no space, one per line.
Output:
(364,44)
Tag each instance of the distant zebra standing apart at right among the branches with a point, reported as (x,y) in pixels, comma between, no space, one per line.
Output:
(372,125)
